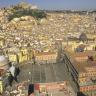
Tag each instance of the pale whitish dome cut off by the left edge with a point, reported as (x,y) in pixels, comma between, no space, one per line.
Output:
(3,62)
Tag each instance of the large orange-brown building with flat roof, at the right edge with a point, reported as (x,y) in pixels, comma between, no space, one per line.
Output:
(83,71)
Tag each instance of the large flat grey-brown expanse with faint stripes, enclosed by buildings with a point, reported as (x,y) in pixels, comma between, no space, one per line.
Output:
(43,73)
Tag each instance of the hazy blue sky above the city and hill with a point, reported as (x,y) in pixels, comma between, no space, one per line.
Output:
(55,4)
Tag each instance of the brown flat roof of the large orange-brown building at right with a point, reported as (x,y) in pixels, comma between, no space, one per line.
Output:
(80,66)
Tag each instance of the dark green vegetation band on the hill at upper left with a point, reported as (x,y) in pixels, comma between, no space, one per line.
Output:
(19,11)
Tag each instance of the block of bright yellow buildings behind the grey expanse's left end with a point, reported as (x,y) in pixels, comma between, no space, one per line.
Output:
(19,55)
